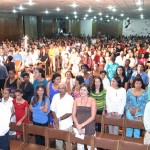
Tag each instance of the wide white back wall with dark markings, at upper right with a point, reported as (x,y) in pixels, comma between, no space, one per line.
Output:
(136,27)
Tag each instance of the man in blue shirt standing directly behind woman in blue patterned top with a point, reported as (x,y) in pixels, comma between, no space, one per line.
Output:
(140,72)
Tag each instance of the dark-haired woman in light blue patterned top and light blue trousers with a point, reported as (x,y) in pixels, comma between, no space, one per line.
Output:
(137,98)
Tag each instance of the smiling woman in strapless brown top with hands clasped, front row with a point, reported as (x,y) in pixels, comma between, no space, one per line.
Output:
(84,112)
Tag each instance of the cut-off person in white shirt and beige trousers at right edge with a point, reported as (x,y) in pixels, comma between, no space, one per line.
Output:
(147,123)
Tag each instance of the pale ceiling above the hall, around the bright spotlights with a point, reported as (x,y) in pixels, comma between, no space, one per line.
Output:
(128,7)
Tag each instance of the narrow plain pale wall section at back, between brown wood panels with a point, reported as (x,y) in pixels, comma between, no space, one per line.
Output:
(86,27)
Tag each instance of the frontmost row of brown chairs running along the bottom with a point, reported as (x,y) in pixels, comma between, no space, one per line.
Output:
(52,134)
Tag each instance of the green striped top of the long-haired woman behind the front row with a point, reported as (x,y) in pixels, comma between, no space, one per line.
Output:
(100,99)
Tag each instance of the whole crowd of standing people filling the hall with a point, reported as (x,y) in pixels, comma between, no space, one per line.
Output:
(75,78)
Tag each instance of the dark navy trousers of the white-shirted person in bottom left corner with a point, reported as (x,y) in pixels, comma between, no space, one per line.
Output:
(4,142)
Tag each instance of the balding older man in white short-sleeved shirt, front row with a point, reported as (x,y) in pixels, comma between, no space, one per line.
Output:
(61,108)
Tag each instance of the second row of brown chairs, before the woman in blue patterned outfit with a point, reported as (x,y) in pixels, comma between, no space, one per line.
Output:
(123,123)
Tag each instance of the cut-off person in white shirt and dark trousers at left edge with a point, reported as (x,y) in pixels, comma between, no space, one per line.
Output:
(5,114)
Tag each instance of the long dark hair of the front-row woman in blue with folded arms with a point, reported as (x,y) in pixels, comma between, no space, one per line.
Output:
(36,96)
